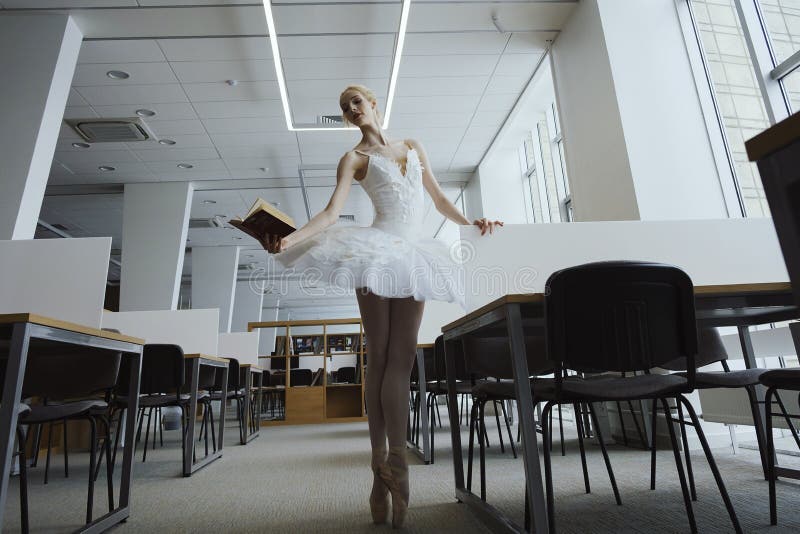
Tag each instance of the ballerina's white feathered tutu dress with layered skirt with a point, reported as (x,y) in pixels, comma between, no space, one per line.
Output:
(390,258)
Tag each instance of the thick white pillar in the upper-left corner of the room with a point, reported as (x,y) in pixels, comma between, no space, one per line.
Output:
(37,62)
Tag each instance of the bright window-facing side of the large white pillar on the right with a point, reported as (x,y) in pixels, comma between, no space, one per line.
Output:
(670,155)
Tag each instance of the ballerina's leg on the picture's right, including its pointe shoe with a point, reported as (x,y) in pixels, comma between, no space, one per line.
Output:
(405,319)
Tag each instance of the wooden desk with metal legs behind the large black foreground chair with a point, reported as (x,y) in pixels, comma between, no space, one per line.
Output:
(516,316)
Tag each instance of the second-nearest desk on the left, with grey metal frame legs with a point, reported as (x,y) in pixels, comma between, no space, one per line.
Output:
(198,360)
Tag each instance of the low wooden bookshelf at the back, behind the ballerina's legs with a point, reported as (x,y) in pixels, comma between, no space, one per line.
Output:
(333,351)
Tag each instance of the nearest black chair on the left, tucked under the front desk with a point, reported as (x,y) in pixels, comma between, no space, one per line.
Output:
(74,378)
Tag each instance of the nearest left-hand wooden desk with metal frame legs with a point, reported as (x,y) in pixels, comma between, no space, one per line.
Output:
(26,334)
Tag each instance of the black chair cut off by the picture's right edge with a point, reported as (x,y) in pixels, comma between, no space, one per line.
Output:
(789,380)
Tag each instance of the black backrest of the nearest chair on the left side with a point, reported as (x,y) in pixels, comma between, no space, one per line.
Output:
(70,373)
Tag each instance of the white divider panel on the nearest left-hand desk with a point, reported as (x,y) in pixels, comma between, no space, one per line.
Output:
(60,278)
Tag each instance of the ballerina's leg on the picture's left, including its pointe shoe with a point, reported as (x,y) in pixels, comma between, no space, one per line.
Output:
(375,318)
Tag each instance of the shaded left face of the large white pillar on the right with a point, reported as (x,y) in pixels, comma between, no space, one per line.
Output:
(598,168)
